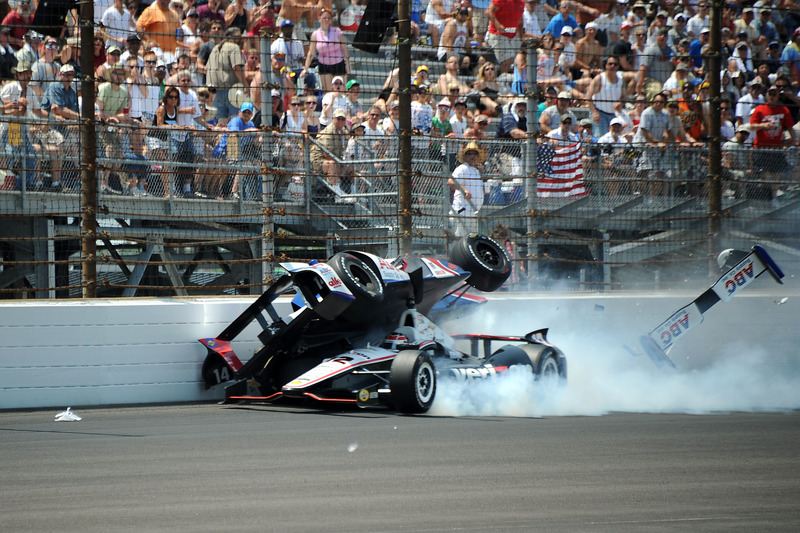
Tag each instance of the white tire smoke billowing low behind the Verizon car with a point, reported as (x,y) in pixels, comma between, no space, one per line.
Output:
(604,377)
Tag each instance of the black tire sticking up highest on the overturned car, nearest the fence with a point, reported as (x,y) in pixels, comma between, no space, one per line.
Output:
(487,261)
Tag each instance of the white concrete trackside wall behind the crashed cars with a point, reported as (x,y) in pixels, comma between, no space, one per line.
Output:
(81,353)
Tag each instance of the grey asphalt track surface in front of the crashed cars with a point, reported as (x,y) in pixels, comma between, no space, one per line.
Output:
(210,467)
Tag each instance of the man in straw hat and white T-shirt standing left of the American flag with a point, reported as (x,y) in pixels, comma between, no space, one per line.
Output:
(467,186)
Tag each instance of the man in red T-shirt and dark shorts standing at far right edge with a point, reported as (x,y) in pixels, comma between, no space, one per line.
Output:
(770,121)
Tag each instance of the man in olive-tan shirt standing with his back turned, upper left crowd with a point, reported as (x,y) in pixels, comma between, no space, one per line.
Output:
(225,68)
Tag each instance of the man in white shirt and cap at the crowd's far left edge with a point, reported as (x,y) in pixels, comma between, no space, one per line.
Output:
(19,100)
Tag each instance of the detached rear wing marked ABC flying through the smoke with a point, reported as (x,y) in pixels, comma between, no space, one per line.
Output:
(660,340)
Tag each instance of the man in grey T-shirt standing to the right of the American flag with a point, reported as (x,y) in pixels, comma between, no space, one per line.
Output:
(652,136)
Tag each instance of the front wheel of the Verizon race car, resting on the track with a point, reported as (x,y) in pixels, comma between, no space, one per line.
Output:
(412,382)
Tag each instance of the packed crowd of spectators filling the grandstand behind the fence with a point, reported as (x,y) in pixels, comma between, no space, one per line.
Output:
(179,81)
